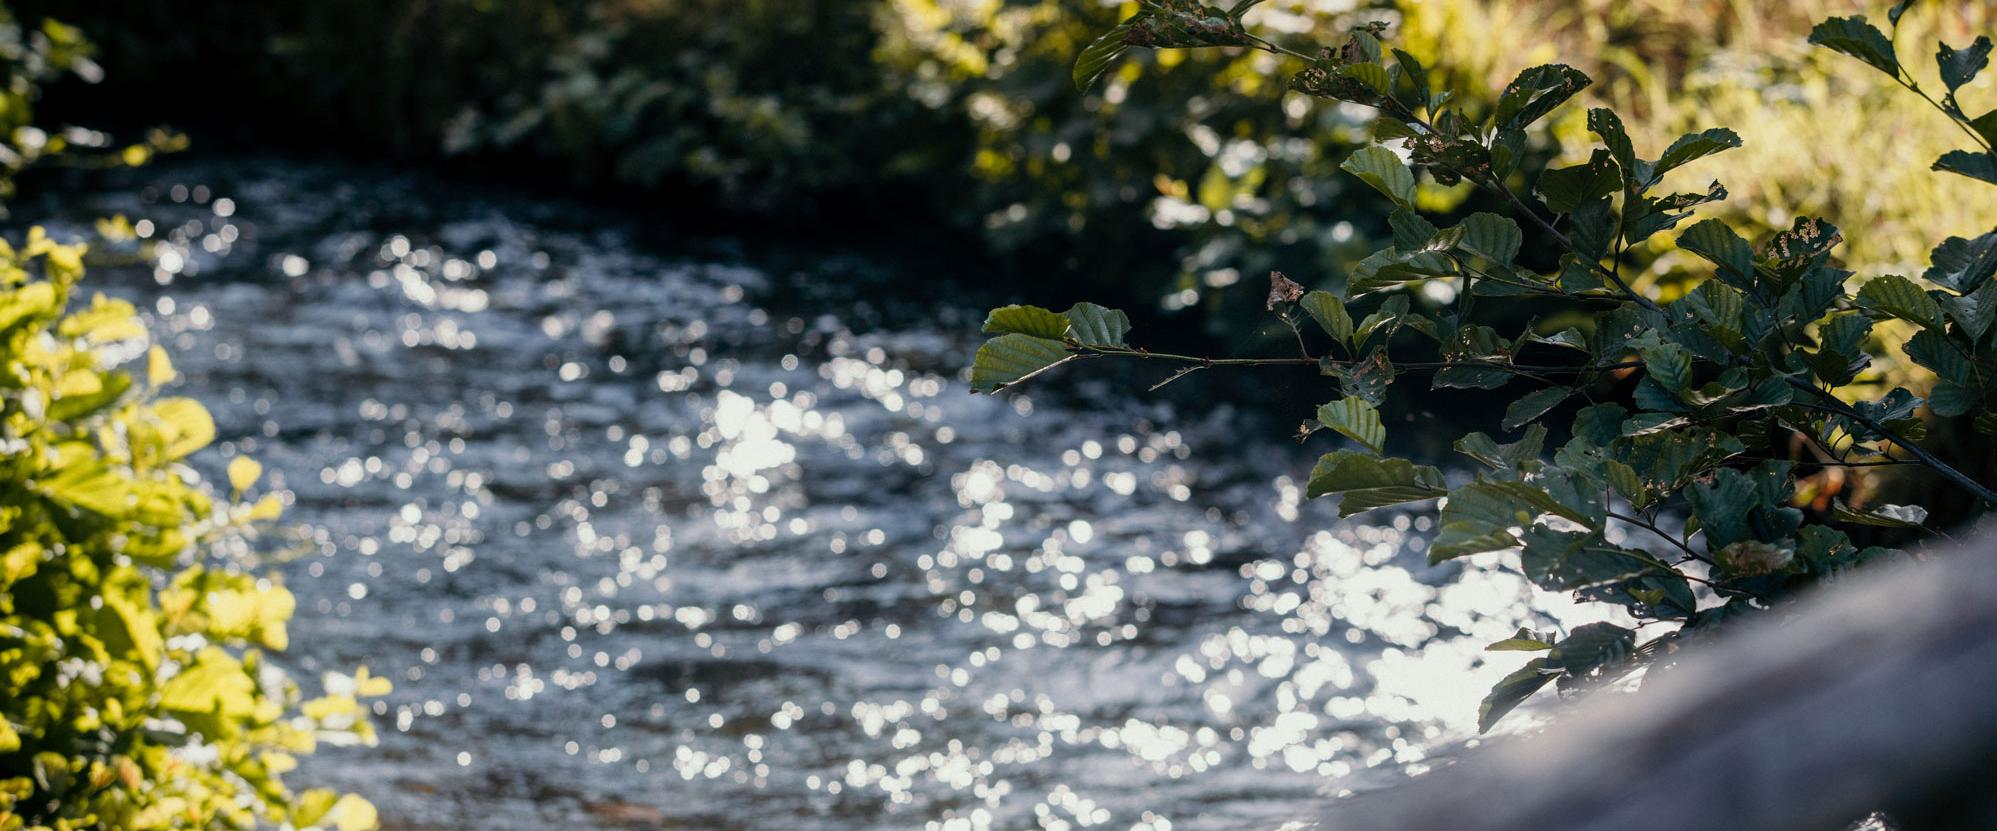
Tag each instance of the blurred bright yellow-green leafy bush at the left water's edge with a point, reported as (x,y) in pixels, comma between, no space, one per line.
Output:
(135,686)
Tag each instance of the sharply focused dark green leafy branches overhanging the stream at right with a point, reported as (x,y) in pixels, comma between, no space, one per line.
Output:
(1694,393)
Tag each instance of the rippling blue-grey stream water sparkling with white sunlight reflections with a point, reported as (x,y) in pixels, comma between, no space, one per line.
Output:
(676,536)
